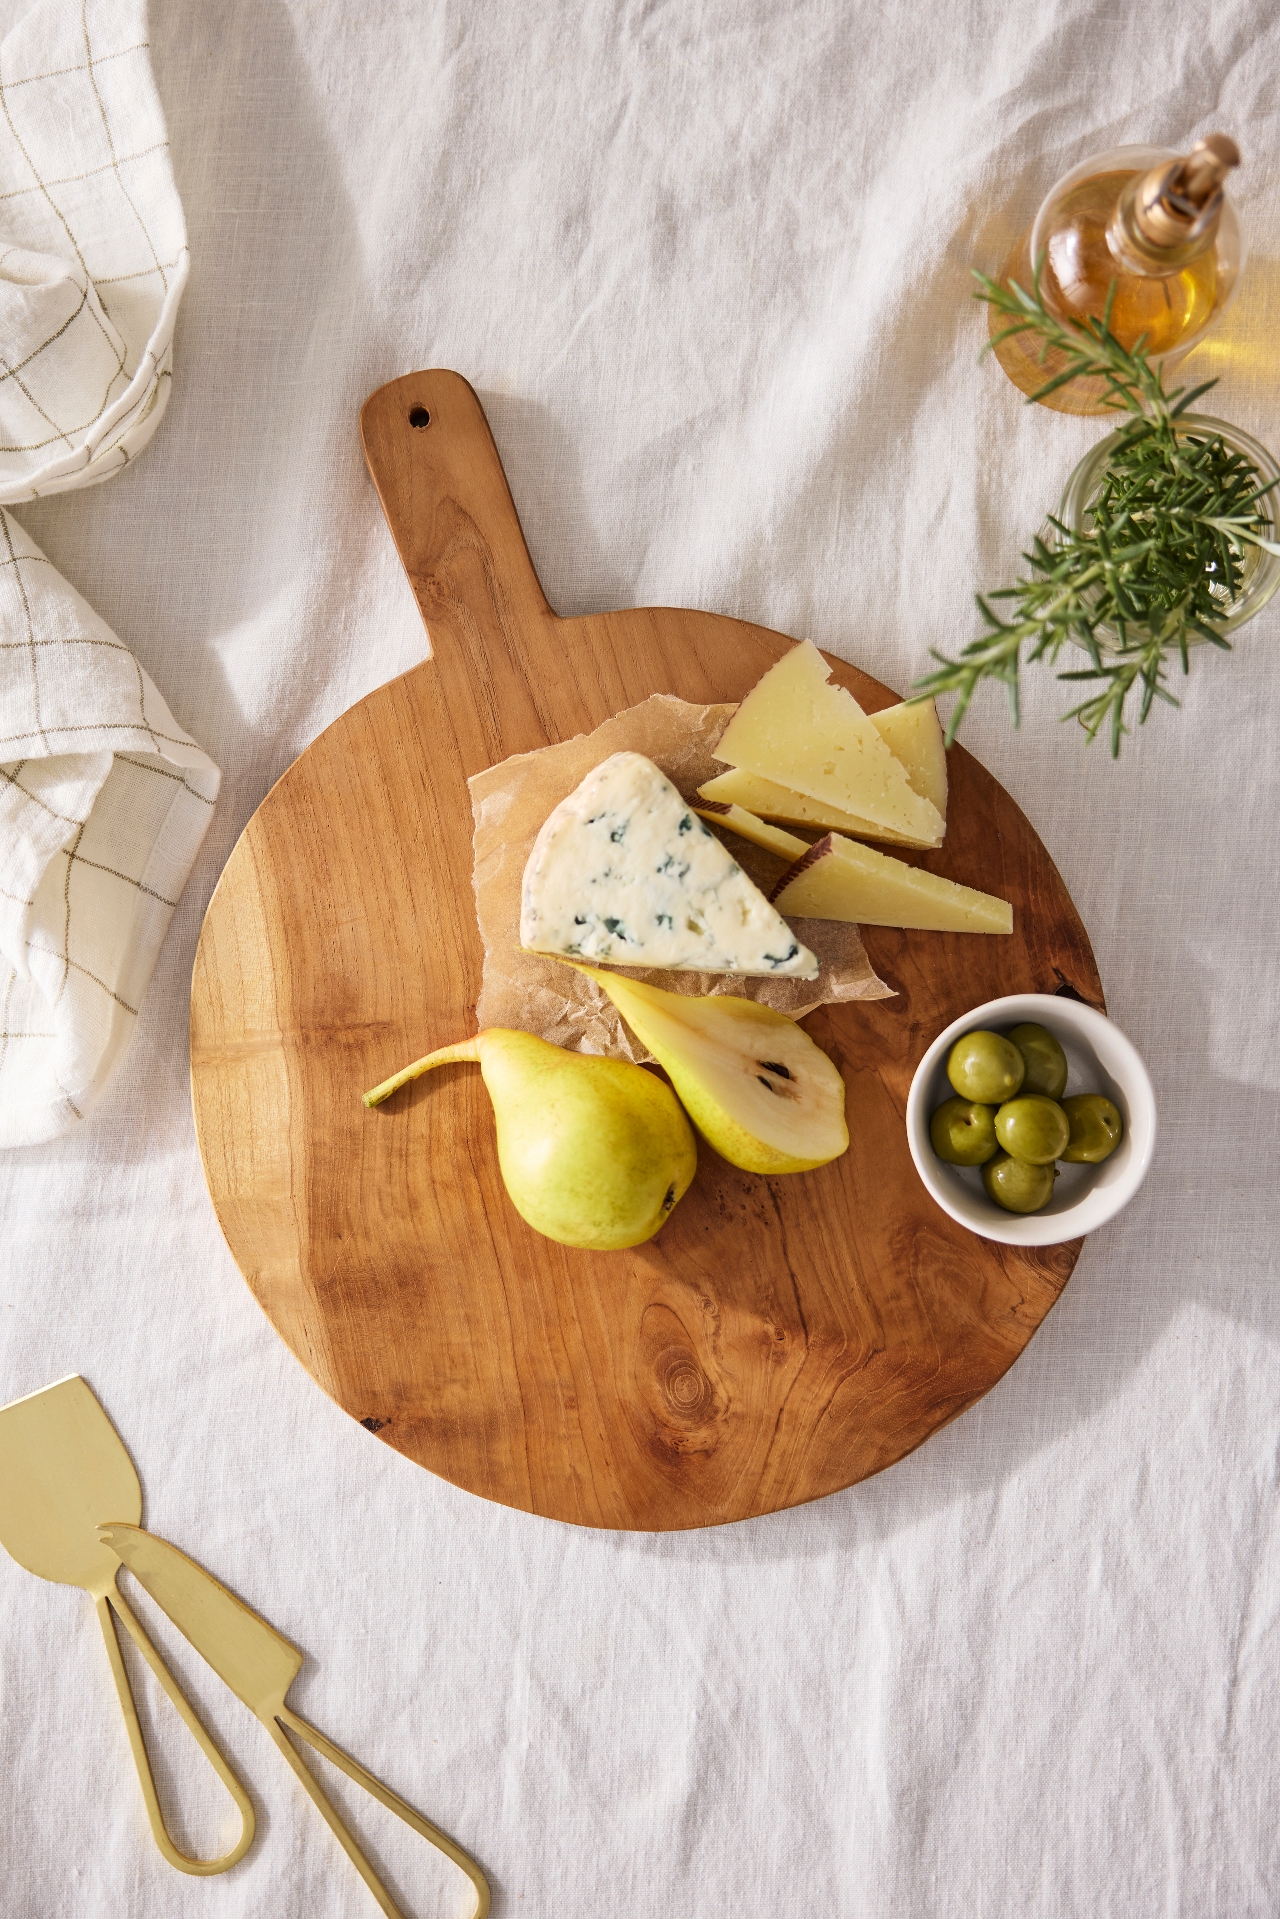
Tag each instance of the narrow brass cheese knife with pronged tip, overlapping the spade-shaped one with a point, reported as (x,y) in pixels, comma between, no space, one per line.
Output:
(260,1667)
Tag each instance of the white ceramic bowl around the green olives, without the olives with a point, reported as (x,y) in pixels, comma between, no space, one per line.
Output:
(1101,1060)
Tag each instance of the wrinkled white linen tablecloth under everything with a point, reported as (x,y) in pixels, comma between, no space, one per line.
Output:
(709,270)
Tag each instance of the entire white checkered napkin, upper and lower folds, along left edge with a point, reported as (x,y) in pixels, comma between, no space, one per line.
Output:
(105,799)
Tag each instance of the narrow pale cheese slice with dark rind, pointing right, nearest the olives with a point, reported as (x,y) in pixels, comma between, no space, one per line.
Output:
(840,880)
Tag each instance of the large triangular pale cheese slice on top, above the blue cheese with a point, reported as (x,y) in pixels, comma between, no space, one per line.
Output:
(815,738)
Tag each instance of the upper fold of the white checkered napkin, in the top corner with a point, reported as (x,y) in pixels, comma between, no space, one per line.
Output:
(93,247)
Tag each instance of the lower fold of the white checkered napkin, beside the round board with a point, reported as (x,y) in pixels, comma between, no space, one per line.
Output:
(95,845)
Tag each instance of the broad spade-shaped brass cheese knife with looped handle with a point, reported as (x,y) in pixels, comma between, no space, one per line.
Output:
(64,1471)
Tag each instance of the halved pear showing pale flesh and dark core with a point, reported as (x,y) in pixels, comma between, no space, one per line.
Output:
(751,1079)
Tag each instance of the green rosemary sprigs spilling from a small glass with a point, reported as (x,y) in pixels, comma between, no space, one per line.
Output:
(1160,559)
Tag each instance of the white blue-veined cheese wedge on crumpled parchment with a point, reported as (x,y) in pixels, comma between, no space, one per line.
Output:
(627,874)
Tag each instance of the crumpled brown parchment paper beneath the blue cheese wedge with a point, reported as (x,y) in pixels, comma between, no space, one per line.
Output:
(554,1001)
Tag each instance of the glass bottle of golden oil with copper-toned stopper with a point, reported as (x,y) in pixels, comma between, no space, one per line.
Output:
(1152,224)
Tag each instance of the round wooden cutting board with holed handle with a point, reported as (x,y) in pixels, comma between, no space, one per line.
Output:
(780,1339)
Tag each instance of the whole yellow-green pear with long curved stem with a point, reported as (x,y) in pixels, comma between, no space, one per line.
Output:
(594,1152)
